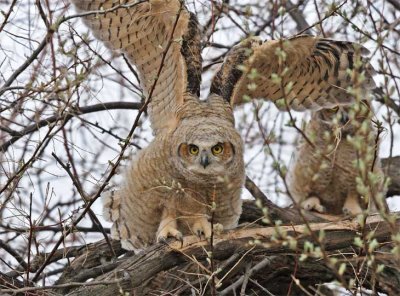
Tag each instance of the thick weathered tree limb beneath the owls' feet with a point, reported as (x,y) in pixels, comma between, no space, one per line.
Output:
(237,253)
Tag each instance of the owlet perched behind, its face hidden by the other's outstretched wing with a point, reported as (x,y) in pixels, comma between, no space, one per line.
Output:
(323,176)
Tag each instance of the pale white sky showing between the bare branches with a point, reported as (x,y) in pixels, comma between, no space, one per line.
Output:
(13,51)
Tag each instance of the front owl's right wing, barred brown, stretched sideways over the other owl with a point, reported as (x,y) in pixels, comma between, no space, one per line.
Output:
(307,72)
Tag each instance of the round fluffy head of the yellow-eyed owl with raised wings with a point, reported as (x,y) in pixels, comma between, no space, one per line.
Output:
(208,149)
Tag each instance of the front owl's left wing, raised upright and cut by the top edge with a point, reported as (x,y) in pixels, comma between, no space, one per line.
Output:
(142,30)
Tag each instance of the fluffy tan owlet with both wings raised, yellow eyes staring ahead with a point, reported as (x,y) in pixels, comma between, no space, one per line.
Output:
(192,172)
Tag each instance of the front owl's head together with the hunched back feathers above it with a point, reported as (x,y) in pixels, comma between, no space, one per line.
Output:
(207,147)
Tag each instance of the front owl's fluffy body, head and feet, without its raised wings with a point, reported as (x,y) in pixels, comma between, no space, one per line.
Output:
(173,184)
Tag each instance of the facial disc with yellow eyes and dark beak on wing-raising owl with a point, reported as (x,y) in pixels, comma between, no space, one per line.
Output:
(202,157)
